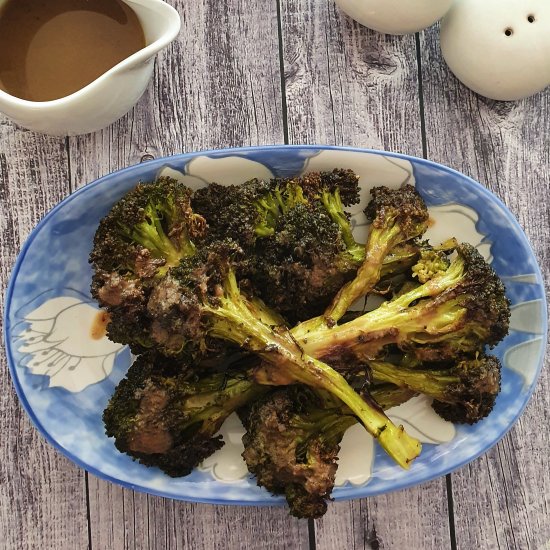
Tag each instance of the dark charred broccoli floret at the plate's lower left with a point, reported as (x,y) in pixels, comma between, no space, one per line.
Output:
(163,415)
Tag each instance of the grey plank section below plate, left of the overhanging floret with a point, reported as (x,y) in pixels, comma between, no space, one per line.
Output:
(132,520)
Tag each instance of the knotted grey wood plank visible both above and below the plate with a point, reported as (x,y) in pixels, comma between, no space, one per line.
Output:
(346,85)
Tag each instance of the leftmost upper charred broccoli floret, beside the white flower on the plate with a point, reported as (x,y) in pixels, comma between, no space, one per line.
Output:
(148,231)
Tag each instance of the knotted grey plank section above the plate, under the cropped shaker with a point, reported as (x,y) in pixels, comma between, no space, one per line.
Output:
(346,85)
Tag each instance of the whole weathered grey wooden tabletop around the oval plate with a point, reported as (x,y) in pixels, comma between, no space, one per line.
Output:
(249,72)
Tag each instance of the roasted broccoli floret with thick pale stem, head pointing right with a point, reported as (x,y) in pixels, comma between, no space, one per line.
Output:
(455,313)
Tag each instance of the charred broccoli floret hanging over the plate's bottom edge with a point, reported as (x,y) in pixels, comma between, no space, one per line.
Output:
(292,441)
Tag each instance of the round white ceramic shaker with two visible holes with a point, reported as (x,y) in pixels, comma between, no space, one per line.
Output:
(499,48)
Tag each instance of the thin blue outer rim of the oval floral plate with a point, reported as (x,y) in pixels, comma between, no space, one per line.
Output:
(186,157)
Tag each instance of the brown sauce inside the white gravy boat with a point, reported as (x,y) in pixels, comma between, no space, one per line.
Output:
(52,48)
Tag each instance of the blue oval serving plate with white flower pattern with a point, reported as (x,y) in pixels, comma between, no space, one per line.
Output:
(64,372)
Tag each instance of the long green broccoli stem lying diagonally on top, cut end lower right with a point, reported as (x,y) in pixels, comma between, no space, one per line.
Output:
(236,319)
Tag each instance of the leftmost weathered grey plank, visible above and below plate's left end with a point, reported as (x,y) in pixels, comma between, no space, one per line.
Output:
(42,495)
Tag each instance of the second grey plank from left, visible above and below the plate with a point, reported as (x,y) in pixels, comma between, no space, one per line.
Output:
(218,85)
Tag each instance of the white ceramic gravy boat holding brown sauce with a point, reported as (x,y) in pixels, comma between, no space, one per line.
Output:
(112,94)
